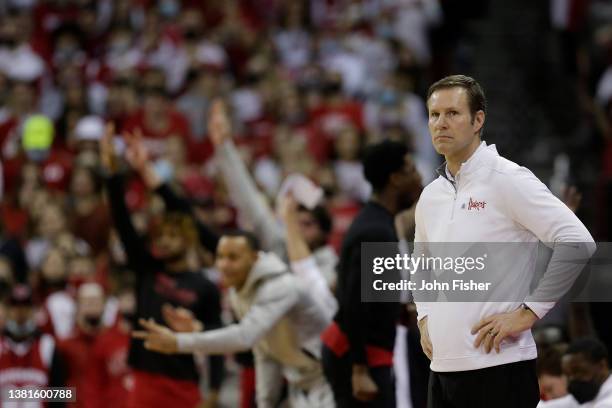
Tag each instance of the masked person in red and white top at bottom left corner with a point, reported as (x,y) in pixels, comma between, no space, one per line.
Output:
(27,357)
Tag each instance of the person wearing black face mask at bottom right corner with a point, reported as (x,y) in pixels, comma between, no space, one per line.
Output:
(585,364)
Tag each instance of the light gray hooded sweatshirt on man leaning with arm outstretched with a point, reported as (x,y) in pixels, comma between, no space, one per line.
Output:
(280,320)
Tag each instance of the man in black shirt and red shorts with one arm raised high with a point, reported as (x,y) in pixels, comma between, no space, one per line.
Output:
(164,281)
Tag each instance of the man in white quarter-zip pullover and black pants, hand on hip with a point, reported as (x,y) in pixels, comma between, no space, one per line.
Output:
(483,354)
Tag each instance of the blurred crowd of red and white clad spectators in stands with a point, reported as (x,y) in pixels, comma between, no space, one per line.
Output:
(308,85)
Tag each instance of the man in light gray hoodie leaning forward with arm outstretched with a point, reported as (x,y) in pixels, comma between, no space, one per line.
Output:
(279,319)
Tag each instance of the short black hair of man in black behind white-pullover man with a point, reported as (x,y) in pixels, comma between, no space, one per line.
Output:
(381,160)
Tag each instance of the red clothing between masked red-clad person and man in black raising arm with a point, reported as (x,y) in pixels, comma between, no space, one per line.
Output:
(109,379)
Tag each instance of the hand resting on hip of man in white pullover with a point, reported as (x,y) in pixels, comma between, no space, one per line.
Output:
(492,330)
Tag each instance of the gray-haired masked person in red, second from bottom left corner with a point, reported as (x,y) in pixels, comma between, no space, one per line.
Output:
(76,349)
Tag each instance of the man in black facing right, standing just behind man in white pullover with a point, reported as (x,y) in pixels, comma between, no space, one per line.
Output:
(358,351)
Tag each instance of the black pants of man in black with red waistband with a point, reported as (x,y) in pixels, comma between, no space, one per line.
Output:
(338,372)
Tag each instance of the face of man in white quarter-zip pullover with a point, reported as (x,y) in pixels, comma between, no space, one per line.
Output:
(451,125)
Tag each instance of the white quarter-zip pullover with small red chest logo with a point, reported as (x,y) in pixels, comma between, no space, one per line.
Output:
(513,206)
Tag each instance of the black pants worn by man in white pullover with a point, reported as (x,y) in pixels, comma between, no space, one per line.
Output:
(513,385)
